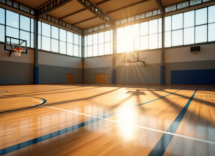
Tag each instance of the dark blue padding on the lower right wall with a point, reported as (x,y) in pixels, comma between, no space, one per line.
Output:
(193,77)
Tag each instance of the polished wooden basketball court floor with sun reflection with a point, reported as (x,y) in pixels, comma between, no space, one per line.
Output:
(111,120)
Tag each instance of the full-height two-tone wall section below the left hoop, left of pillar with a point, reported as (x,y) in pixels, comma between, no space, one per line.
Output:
(16,70)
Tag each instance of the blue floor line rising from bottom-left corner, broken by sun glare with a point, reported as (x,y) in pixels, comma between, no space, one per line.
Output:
(63,131)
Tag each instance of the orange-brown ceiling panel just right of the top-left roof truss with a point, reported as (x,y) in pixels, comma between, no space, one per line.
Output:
(69,8)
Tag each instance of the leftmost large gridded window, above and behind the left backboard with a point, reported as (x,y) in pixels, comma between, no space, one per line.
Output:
(17,26)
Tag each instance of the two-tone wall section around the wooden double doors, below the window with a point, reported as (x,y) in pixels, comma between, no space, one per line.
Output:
(94,65)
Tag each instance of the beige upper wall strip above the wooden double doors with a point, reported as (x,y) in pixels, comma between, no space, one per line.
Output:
(96,62)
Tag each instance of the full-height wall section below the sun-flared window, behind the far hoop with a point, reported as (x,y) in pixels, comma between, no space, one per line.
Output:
(137,73)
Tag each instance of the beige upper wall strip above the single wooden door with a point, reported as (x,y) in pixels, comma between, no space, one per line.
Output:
(46,58)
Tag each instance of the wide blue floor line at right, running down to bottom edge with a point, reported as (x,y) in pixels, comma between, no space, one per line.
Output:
(163,143)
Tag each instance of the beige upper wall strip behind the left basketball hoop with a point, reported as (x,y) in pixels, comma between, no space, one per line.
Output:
(24,58)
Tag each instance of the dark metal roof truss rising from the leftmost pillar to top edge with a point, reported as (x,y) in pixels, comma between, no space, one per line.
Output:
(50,6)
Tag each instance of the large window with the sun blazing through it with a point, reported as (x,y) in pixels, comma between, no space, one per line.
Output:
(141,36)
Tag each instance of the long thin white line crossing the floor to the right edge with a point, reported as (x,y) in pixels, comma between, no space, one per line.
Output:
(151,129)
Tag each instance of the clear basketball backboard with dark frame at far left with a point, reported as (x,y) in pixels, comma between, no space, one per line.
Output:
(11,43)
